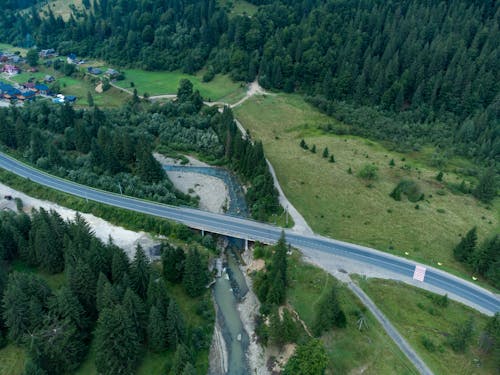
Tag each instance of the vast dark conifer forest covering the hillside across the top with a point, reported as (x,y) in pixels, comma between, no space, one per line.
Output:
(424,71)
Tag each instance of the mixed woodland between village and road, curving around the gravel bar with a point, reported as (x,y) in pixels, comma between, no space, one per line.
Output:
(112,149)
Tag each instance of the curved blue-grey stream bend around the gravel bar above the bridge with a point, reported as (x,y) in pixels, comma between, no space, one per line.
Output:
(237,203)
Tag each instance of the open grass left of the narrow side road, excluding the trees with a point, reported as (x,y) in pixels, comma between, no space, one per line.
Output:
(350,351)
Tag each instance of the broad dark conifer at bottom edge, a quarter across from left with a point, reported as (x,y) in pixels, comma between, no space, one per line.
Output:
(118,348)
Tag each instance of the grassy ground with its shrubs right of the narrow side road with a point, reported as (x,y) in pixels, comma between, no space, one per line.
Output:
(450,337)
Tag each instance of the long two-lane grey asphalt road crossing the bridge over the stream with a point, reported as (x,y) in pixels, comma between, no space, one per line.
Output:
(255,231)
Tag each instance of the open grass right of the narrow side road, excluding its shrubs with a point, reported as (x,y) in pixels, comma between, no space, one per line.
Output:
(415,315)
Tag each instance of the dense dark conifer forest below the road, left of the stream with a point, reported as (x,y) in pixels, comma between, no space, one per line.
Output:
(122,306)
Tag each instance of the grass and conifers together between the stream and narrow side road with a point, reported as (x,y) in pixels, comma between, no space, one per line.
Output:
(316,306)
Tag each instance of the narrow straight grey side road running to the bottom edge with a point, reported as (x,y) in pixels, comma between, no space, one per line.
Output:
(391,330)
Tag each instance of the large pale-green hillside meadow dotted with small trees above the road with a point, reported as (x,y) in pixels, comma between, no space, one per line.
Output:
(347,207)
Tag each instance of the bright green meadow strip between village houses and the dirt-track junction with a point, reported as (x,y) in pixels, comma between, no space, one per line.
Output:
(161,83)
